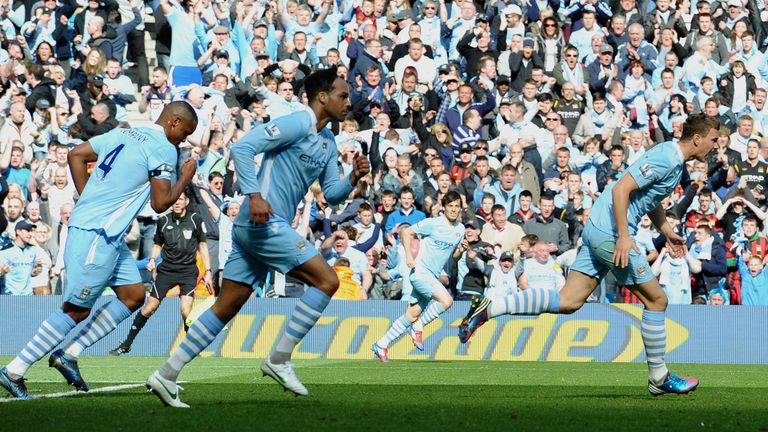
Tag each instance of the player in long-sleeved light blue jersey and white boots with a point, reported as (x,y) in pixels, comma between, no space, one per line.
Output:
(298,149)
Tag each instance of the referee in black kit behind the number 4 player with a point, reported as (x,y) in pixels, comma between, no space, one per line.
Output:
(179,236)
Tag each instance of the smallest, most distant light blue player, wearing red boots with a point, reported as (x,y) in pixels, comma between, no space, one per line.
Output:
(442,238)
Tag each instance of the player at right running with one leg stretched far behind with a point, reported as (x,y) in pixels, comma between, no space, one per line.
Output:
(608,246)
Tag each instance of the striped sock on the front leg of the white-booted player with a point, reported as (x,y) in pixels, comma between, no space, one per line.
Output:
(305,315)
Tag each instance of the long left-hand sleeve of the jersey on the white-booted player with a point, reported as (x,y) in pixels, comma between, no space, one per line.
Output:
(271,136)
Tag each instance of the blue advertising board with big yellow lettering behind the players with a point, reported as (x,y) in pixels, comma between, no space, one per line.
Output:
(604,333)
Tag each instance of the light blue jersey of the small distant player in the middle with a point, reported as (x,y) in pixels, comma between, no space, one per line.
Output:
(439,239)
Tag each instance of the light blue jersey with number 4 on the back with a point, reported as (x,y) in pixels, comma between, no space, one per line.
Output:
(119,187)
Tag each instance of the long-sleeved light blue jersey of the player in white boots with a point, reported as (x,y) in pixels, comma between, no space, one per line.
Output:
(295,155)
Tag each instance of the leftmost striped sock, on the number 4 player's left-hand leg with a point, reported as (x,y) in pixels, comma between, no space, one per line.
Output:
(50,334)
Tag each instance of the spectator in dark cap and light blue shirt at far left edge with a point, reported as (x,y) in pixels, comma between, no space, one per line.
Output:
(20,262)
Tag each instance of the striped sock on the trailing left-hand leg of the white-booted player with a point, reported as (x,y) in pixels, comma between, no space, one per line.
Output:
(199,336)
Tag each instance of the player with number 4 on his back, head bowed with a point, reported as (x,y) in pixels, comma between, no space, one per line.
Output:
(133,166)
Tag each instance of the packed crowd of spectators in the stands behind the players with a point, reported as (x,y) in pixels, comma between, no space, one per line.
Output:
(528,108)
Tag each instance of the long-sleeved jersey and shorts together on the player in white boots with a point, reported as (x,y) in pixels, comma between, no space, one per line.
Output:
(295,155)
